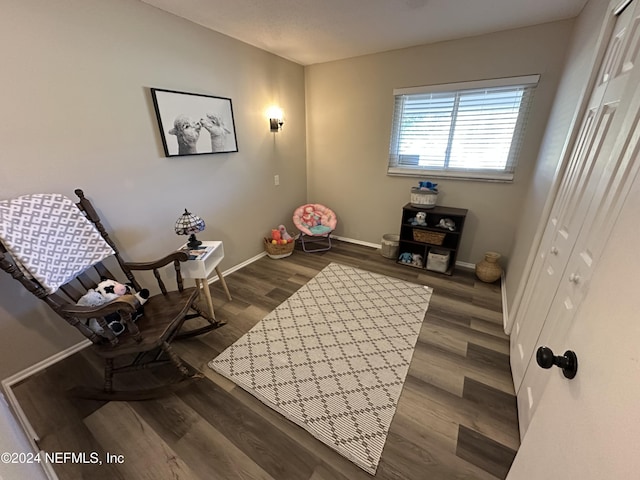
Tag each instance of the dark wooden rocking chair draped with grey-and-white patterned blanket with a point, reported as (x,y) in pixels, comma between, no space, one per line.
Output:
(58,250)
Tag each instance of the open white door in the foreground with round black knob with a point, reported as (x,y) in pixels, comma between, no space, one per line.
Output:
(588,428)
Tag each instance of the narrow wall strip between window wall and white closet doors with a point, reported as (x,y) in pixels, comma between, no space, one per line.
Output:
(556,143)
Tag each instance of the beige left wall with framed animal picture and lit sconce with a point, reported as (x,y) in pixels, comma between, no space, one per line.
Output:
(76,112)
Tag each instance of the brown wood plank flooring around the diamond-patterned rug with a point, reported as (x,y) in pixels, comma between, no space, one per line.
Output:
(456,417)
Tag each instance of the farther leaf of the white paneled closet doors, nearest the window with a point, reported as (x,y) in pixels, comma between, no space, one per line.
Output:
(586,164)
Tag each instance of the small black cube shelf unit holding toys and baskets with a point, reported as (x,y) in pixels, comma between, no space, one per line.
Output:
(450,242)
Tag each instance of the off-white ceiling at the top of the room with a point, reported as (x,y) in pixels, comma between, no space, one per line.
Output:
(316,31)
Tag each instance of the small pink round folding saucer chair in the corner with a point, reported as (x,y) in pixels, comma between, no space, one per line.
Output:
(315,222)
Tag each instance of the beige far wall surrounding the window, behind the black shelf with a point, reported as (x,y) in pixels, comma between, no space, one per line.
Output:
(349,109)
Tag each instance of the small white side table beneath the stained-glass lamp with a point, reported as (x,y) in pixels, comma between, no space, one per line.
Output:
(202,262)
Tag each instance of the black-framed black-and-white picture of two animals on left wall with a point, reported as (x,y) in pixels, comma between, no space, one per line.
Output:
(194,124)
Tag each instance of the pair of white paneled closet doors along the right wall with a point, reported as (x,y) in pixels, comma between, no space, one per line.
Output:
(585,198)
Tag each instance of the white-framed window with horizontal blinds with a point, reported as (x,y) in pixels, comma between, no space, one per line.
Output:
(467,130)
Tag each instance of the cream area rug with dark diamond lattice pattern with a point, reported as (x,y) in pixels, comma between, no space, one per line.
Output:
(333,357)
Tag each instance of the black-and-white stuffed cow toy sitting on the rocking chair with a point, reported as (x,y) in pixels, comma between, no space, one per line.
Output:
(106,291)
